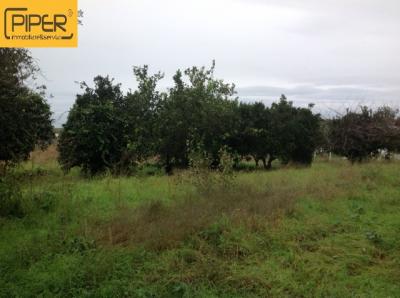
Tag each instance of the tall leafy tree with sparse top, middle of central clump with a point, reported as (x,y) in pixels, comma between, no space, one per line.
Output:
(197,115)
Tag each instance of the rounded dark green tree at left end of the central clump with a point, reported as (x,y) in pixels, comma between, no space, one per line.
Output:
(94,136)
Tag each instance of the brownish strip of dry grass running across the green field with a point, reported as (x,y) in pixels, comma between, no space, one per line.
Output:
(160,225)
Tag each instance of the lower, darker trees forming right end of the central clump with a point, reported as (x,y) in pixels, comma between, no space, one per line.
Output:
(282,131)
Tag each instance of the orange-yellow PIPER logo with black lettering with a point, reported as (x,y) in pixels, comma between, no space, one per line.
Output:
(38,23)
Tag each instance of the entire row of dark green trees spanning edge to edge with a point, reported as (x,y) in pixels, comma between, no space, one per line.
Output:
(109,130)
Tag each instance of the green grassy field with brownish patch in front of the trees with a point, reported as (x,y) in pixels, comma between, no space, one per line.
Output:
(332,230)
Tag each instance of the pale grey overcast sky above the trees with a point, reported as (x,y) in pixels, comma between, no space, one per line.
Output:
(334,53)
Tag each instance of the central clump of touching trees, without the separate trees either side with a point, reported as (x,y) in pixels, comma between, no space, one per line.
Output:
(109,130)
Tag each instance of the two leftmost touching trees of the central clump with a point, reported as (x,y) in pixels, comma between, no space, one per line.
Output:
(107,130)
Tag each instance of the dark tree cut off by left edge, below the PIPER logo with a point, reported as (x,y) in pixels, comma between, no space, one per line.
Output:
(25,117)
